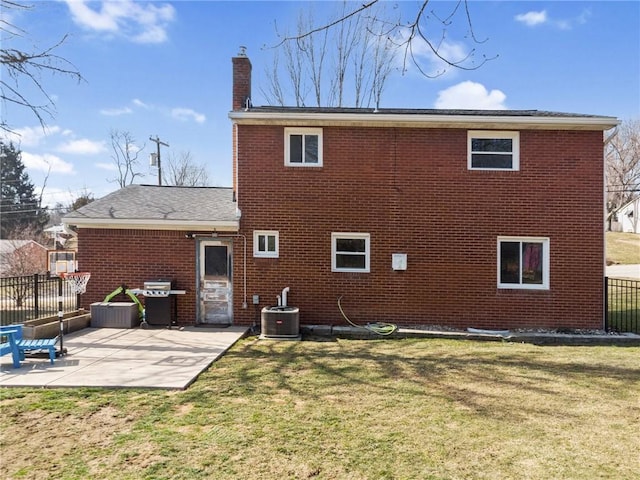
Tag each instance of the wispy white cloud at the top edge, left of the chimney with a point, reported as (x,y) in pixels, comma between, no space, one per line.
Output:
(137,21)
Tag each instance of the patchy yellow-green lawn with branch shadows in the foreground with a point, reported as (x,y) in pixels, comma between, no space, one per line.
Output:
(388,409)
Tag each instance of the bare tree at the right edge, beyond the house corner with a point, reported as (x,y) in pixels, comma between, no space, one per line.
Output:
(622,158)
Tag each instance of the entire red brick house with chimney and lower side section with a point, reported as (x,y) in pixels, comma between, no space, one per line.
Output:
(486,219)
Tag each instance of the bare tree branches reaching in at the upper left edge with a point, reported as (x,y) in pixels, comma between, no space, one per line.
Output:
(20,66)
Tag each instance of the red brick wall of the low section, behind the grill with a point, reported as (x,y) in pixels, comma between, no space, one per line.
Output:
(131,257)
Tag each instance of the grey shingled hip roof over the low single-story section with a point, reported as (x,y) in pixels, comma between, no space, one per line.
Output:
(160,208)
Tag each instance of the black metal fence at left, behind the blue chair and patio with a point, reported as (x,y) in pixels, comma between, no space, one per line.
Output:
(34,296)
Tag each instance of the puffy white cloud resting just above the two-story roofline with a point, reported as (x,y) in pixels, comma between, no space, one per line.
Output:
(470,95)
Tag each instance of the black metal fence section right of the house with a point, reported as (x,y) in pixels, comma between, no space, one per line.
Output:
(622,305)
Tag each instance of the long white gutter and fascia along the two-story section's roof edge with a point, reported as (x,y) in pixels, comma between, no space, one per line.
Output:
(418,120)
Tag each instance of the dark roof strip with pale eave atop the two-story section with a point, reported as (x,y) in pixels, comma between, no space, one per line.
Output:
(426,118)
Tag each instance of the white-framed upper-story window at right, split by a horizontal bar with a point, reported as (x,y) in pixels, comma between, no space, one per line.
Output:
(493,150)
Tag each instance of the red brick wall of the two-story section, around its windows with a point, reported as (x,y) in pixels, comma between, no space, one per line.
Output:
(411,191)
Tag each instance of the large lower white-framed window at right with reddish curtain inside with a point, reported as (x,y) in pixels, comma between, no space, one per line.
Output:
(523,262)
